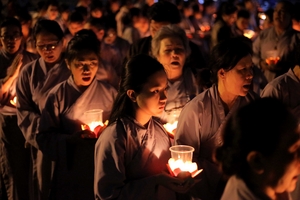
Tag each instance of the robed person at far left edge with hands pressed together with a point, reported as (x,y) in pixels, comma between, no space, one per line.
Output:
(14,157)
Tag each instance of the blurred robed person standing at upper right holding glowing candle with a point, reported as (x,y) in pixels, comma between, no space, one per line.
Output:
(270,52)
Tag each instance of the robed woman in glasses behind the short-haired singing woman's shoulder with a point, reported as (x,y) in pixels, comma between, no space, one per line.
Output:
(34,82)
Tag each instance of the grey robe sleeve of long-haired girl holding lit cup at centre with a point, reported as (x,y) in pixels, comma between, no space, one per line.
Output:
(110,171)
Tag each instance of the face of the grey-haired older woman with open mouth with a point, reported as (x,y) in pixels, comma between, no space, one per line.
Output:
(171,54)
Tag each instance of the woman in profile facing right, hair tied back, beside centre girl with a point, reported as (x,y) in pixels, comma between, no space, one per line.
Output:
(201,120)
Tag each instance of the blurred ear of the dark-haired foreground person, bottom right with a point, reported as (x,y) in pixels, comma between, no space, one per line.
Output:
(256,162)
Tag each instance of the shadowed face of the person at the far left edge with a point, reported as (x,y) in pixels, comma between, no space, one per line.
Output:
(10,38)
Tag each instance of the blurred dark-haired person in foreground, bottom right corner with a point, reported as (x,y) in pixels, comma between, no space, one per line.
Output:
(264,162)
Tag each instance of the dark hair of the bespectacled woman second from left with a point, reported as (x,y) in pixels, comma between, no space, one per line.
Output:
(49,26)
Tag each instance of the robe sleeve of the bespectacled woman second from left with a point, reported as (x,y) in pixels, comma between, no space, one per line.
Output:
(27,111)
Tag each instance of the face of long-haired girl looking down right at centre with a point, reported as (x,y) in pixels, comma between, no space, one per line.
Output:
(152,99)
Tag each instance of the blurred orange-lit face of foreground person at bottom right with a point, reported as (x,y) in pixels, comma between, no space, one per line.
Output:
(284,165)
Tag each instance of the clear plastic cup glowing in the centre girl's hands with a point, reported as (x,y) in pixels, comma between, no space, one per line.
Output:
(182,152)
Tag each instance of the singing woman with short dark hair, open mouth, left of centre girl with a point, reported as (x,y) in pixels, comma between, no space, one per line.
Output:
(60,132)
